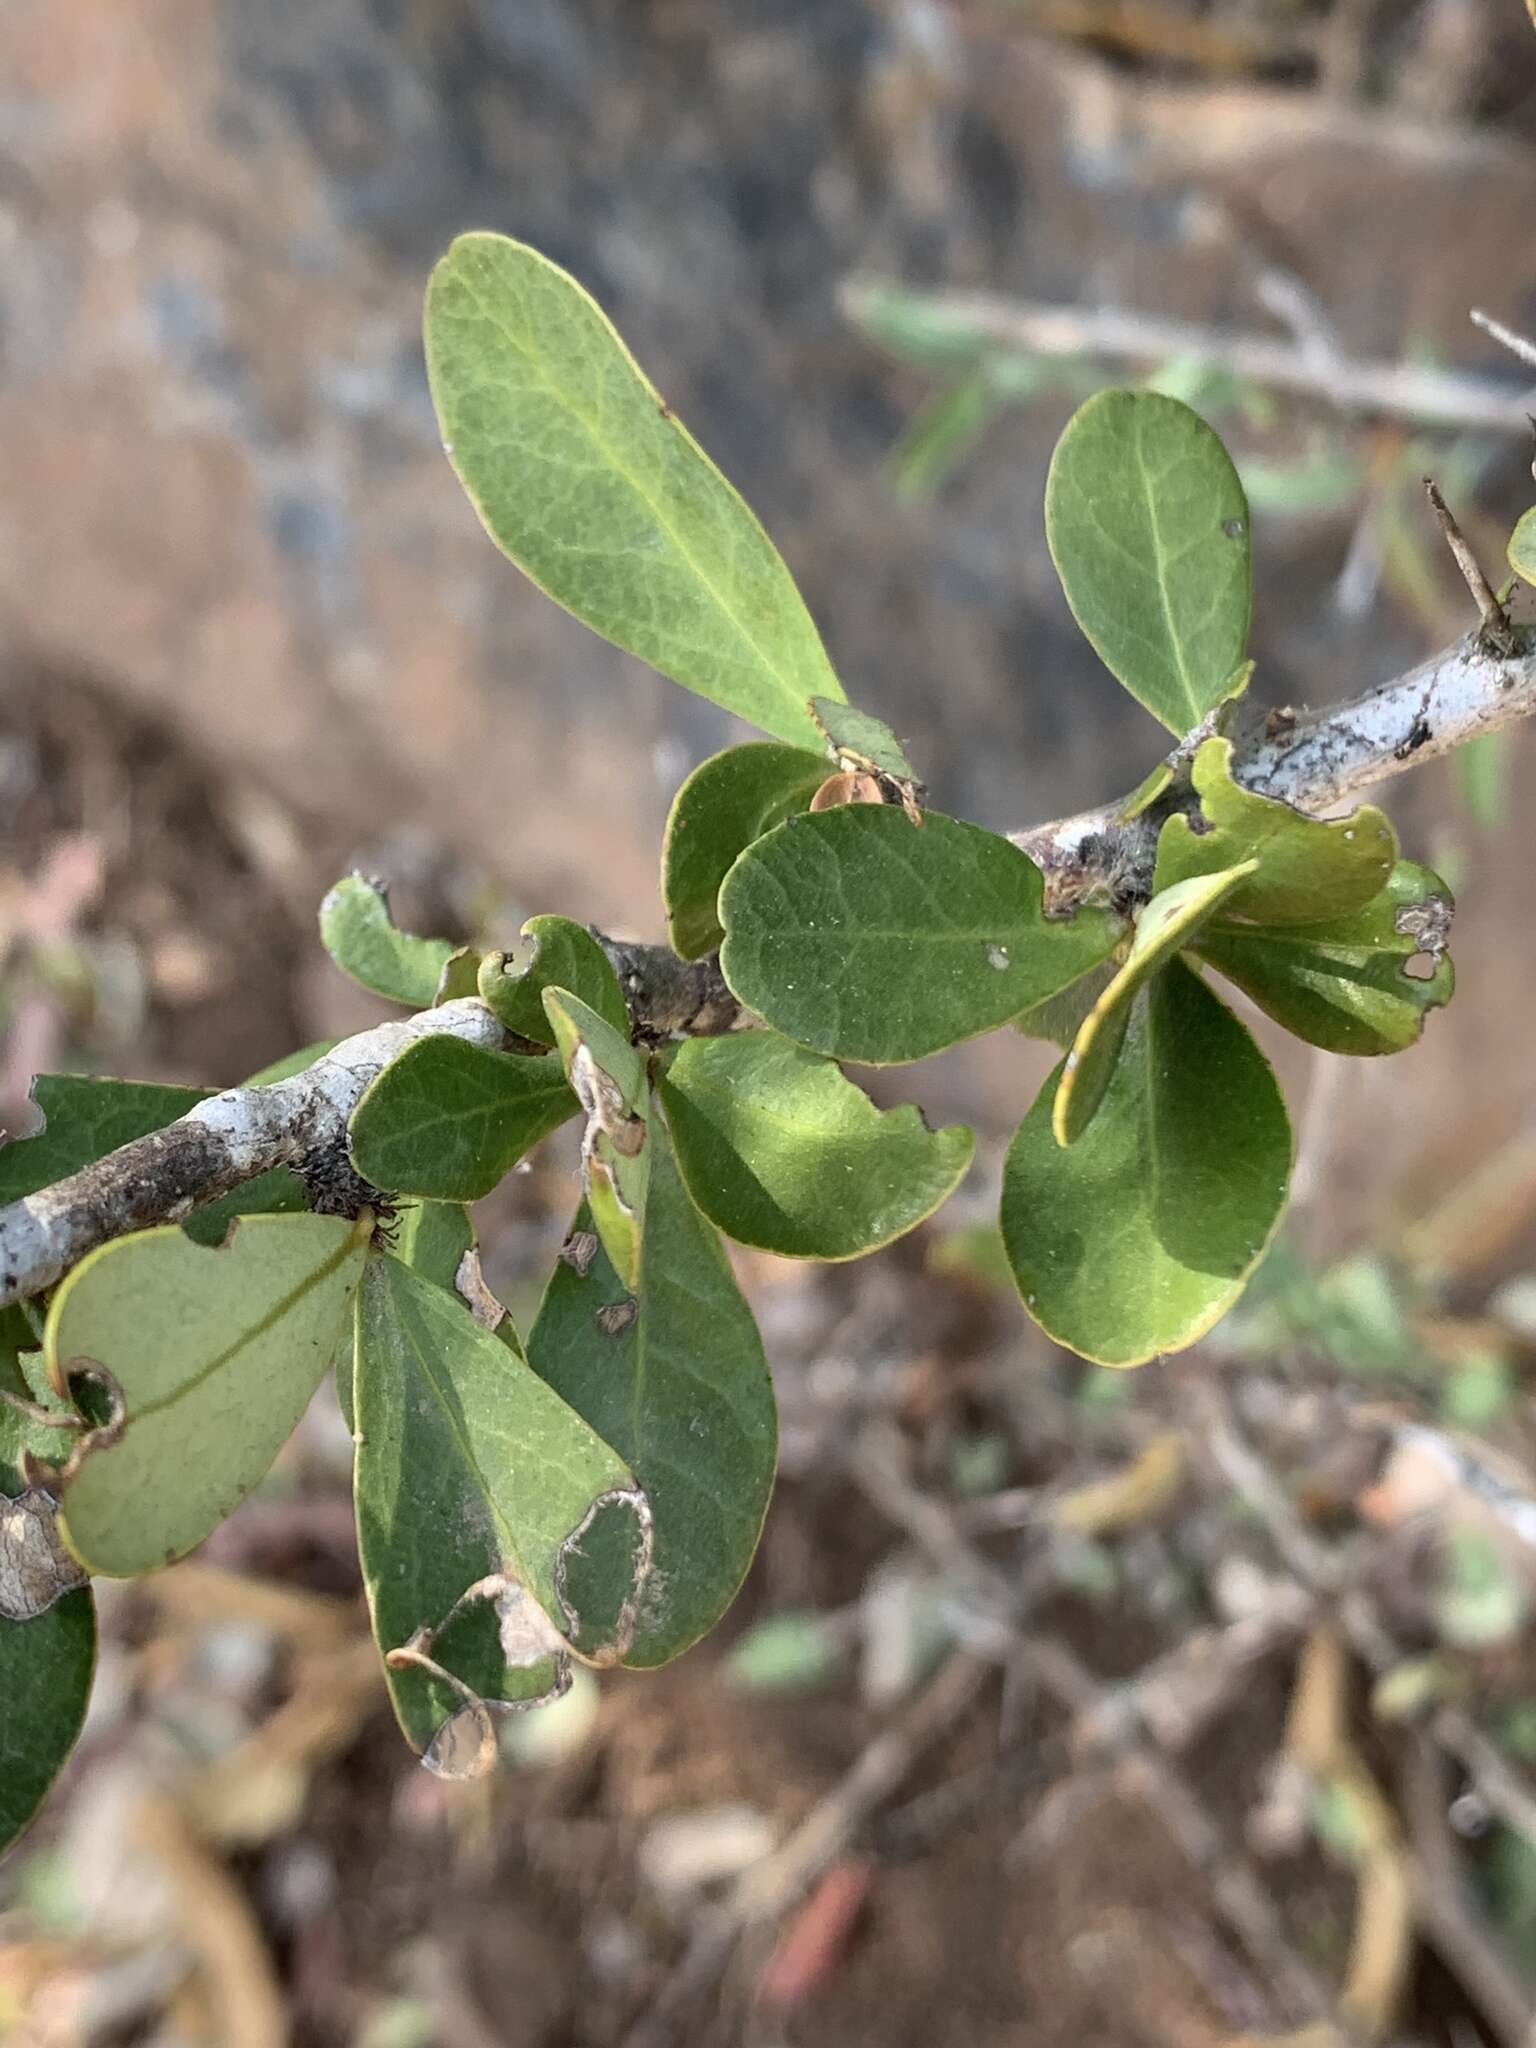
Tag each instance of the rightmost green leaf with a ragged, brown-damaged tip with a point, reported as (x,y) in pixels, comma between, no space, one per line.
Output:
(1345,986)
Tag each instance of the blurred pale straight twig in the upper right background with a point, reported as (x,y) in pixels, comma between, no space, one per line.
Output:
(1381,390)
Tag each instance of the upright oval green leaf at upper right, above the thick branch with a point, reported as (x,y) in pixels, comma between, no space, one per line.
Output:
(1148,527)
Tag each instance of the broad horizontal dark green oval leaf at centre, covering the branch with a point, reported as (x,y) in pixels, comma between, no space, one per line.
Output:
(869,939)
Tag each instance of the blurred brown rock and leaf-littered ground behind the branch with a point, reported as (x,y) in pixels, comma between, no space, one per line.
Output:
(1172,1709)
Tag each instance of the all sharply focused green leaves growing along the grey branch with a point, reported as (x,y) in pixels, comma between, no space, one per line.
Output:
(595,1496)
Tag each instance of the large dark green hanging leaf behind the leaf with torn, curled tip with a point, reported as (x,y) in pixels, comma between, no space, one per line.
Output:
(681,1390)
